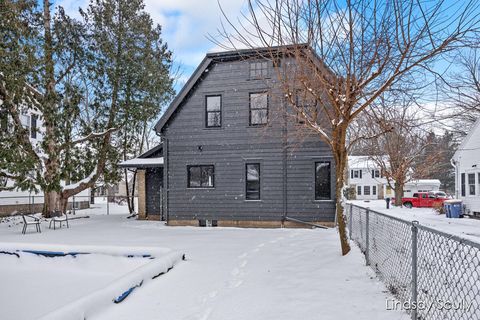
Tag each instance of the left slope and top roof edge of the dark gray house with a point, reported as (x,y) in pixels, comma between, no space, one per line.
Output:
(203,67)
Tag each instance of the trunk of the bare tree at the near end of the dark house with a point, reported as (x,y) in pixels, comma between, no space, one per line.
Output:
(340,154)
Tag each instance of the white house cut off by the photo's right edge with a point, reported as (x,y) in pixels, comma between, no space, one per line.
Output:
(466,161)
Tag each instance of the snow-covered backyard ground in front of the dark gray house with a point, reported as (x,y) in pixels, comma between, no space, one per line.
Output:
(229,273)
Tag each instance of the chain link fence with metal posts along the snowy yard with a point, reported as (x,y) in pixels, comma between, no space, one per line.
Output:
(433,274)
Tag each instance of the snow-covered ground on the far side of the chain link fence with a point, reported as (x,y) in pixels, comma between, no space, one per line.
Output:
(464,227)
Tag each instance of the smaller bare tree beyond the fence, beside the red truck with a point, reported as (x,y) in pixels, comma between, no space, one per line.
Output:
(401,151)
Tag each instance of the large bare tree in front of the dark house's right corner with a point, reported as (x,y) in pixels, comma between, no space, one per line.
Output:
(356,50)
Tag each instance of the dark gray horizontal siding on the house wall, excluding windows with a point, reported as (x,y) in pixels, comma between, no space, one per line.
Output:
(285,151)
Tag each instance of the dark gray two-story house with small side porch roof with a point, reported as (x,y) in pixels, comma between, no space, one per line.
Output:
(230,154)
